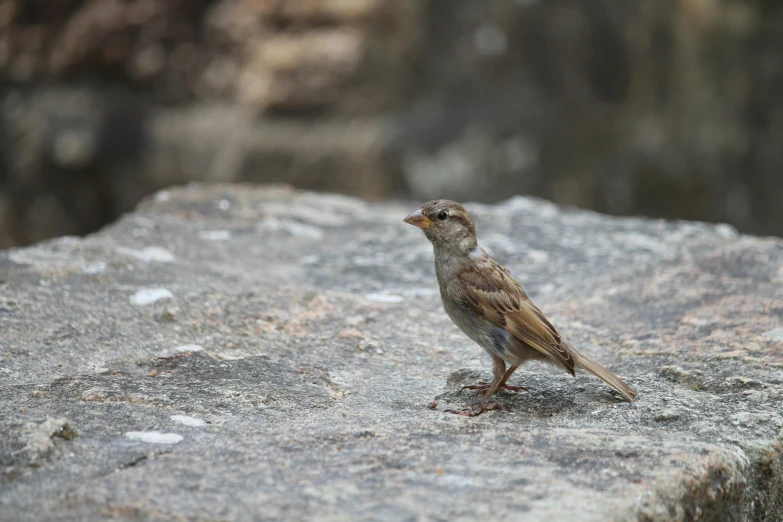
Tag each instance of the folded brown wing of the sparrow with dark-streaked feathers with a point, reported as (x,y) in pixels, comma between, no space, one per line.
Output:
(491,292)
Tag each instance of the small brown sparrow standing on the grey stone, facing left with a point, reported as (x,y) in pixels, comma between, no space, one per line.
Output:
(490,307)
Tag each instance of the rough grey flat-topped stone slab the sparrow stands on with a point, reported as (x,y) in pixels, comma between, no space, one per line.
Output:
(305,331)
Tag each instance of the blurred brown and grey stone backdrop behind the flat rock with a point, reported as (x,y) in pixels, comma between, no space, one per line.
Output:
(665,108)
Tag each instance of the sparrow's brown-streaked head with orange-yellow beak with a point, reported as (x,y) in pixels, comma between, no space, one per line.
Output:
(446,224)
